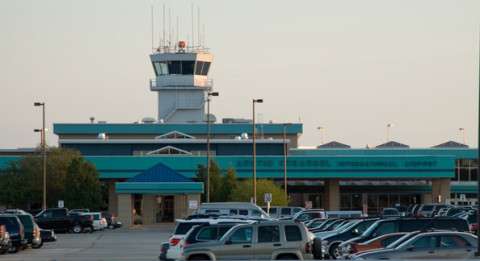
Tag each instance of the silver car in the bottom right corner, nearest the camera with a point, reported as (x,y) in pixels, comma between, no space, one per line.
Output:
(428,245)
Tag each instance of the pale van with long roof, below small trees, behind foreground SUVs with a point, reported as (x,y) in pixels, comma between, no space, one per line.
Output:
(232,208)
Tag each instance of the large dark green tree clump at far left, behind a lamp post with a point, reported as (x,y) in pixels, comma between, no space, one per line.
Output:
(69,178)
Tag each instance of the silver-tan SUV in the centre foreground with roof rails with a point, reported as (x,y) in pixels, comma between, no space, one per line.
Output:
(259,241)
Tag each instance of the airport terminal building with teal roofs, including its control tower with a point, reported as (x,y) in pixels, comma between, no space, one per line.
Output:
(150,166)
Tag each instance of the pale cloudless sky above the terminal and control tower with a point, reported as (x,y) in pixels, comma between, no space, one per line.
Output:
(350,66)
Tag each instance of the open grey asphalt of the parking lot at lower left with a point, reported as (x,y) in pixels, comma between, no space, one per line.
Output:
(140,243)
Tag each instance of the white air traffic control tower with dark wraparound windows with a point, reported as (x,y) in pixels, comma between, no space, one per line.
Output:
(181,82)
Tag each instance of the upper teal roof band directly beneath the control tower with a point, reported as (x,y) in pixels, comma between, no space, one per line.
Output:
(131,128)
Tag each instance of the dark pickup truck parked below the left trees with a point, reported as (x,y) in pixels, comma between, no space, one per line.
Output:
(59,219)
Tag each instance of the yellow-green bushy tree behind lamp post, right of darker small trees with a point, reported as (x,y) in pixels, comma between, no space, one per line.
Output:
(244,192)
